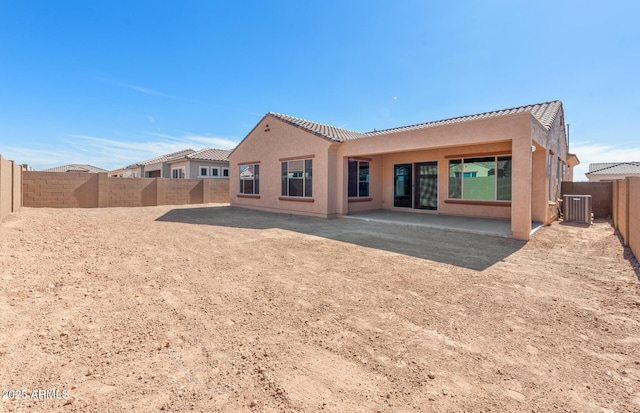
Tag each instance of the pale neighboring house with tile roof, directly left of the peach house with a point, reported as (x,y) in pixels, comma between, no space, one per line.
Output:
(205,163)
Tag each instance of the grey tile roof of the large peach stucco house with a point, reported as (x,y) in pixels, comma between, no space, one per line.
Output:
(545,113)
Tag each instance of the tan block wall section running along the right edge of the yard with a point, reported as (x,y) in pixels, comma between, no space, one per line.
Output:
(626,212)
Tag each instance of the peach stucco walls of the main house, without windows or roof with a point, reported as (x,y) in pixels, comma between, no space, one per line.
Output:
(273,139)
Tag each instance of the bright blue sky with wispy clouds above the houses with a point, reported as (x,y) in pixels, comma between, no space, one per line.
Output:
(109,82)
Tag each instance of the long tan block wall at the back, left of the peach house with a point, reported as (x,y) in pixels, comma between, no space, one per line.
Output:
(89,190)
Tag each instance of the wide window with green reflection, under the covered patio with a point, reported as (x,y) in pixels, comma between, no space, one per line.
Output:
(480,179)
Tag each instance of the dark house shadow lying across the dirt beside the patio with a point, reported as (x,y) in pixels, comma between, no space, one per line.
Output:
(473,251)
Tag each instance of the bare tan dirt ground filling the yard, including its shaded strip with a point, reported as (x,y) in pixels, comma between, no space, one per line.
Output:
(221,309)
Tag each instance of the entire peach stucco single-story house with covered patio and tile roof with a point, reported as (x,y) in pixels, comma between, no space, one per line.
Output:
(502,164)
